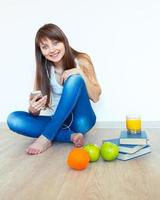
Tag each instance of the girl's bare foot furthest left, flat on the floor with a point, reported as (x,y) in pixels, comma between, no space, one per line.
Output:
(40,145)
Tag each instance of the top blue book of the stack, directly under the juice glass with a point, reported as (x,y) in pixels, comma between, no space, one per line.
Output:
(133,139)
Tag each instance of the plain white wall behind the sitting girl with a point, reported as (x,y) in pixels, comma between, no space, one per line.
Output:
(122,38)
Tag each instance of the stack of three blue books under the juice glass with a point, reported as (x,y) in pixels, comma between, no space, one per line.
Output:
(131,145)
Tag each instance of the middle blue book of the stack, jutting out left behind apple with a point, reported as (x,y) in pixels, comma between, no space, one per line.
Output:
(125,148)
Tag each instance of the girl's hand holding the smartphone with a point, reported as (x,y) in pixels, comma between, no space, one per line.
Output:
(36,104)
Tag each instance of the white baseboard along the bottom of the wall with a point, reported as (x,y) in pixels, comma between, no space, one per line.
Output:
(110,124)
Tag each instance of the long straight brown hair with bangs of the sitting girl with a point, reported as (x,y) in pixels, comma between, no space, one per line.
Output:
(52,32)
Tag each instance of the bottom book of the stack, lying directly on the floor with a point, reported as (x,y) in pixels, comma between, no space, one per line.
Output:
(141,152)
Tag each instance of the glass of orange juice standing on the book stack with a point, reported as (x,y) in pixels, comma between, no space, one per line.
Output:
(133,123)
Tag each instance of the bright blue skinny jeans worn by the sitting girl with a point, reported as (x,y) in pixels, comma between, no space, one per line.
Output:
(74,114)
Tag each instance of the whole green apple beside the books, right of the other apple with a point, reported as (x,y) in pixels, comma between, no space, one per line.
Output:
(109,151)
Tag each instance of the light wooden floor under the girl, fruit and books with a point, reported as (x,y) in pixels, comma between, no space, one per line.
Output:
(47,177)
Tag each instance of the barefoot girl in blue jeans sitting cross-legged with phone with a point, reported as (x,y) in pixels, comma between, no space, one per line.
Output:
(67,81)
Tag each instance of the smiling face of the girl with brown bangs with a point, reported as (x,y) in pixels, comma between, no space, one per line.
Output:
(53,51)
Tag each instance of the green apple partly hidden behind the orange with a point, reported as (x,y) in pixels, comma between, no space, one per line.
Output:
(93,151)
